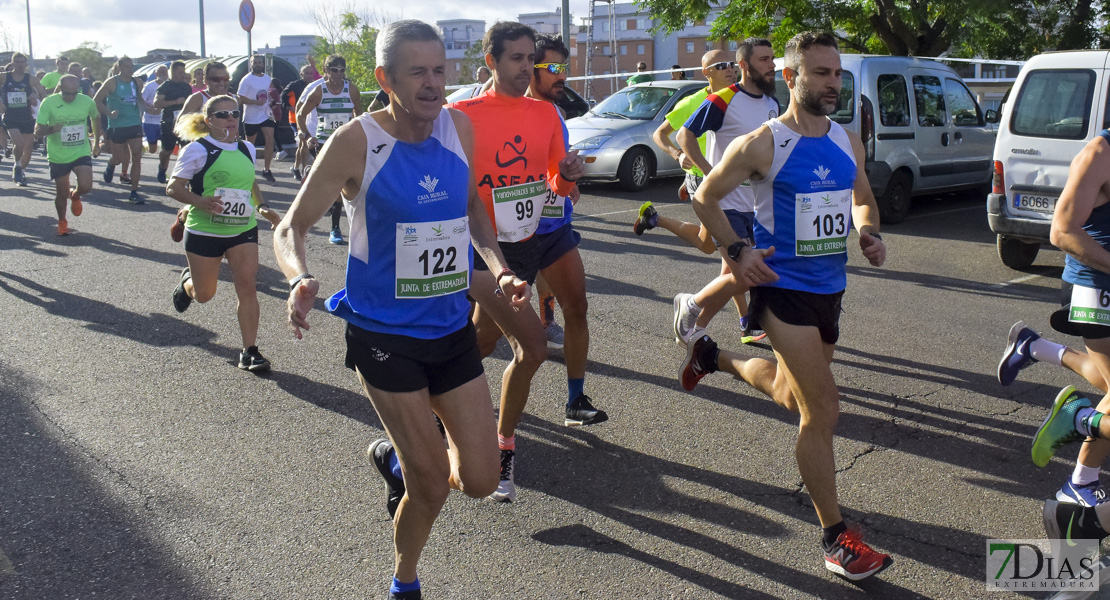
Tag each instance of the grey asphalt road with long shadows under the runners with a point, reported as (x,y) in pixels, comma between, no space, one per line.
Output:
(137,462)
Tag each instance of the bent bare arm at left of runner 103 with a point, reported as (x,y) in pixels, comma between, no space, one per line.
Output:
(745,158)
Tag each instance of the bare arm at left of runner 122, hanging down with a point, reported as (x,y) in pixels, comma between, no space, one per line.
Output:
(338,170)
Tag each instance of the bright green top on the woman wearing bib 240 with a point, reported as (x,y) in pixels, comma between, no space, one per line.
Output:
(227,174)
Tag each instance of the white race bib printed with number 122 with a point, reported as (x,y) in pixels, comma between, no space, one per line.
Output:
(433,259)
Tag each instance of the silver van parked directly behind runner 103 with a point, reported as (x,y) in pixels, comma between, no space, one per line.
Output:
(923,129)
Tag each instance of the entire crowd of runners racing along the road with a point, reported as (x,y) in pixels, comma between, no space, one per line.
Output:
(457,212)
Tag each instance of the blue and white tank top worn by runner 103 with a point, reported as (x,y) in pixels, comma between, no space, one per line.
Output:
(804,209)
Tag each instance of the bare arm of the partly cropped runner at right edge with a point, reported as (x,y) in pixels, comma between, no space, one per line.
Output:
(1086,189)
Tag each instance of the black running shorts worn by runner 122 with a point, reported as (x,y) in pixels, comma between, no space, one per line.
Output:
(401,364)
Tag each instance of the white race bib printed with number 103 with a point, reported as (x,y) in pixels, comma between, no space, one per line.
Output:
(822,222)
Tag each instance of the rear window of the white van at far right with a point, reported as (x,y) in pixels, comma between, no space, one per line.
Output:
(1055,104)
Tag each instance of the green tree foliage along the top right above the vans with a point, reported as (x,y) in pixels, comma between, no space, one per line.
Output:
(922,28)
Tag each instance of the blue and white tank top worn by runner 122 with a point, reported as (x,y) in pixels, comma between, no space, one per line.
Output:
(409,267)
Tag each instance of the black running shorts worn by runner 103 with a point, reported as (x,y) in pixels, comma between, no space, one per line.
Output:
(795,308)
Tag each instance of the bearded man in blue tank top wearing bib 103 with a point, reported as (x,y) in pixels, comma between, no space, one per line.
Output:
(809,177)
